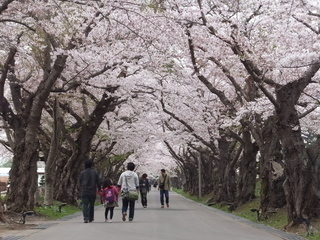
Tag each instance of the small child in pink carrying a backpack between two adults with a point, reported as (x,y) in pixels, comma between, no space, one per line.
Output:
(109,198)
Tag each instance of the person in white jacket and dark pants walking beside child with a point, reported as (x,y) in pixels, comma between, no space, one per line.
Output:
(128,181)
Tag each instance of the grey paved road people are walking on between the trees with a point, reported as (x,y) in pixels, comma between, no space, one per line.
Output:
(185,220)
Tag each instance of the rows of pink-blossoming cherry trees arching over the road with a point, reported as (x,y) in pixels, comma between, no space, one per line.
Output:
(221,81)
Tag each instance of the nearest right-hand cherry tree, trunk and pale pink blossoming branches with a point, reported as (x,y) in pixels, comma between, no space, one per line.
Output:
(246,39)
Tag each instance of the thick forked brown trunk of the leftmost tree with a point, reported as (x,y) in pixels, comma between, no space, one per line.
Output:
(23,174)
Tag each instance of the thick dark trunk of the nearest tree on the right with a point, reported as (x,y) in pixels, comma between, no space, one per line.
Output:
(300,183)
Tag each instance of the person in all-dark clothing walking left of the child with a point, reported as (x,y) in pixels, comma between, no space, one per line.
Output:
(89,183)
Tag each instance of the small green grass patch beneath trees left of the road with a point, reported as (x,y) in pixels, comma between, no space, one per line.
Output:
(52,212)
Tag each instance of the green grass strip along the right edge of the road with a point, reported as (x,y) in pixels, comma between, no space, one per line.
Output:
(277,220)
